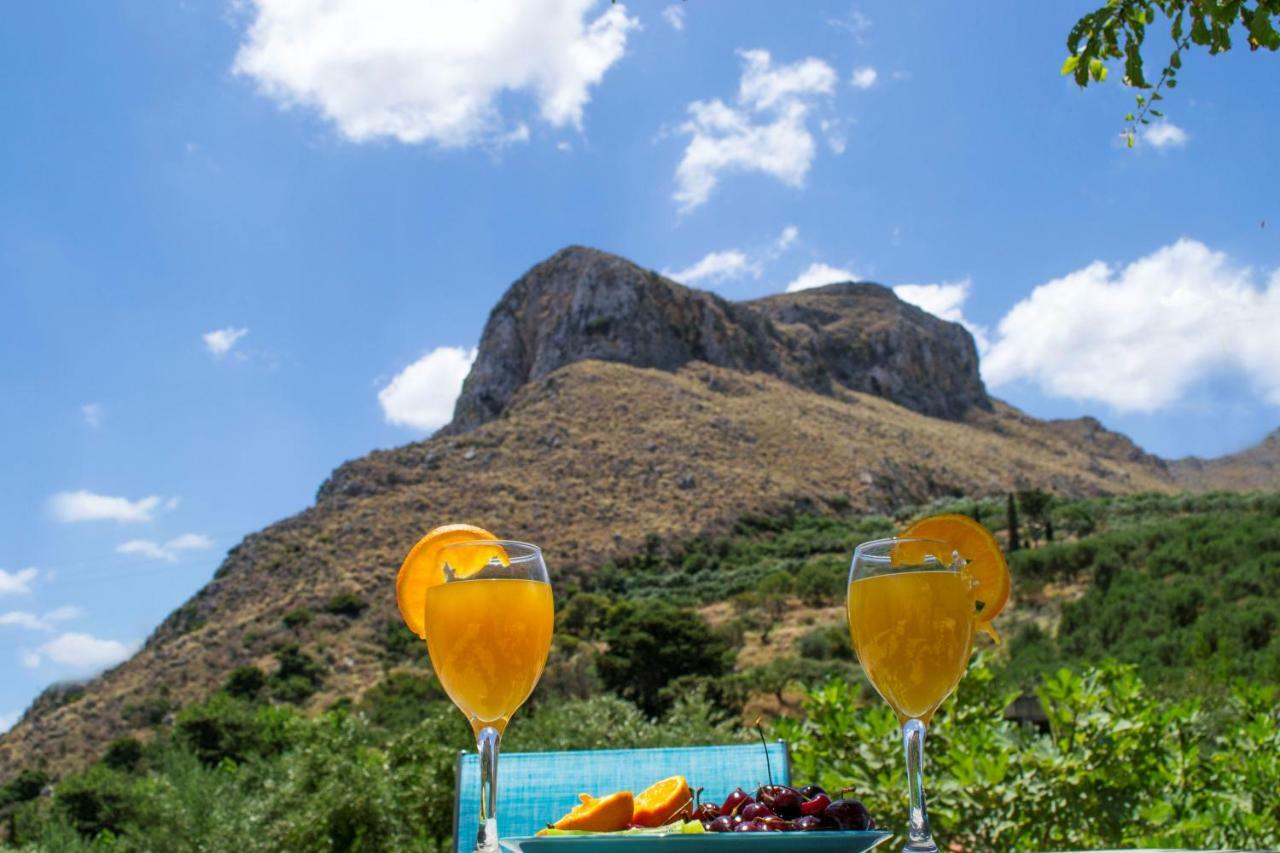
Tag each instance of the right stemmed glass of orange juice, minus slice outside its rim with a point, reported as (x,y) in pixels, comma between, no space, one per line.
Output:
(912,622)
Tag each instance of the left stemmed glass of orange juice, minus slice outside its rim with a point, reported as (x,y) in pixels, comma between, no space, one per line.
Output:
(488,632)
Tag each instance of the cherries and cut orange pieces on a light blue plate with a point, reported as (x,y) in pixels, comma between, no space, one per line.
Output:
(669,816)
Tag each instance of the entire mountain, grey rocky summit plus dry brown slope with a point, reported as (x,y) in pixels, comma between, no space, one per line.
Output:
(592,458)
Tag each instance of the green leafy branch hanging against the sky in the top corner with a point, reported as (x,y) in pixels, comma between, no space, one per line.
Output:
(1118,31)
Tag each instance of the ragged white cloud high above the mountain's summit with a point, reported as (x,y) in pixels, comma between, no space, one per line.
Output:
(766,133)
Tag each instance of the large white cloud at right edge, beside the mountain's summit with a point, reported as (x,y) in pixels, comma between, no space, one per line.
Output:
(1139,337)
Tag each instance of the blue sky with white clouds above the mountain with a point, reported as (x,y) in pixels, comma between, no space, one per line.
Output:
(240,247)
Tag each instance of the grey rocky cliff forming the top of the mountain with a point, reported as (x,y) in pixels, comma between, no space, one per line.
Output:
(586,304)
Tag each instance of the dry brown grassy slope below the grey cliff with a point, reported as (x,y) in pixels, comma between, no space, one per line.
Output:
(588,462)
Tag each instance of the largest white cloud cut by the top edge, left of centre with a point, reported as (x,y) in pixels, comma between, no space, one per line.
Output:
(418,72)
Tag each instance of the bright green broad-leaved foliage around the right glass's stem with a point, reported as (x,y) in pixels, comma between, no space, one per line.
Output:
(1116,770)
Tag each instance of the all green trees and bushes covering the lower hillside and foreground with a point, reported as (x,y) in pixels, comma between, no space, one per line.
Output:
(684,644)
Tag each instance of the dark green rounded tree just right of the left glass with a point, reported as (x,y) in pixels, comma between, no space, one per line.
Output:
(652,644)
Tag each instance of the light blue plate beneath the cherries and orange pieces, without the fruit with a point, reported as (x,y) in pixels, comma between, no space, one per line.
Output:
(701,843)
